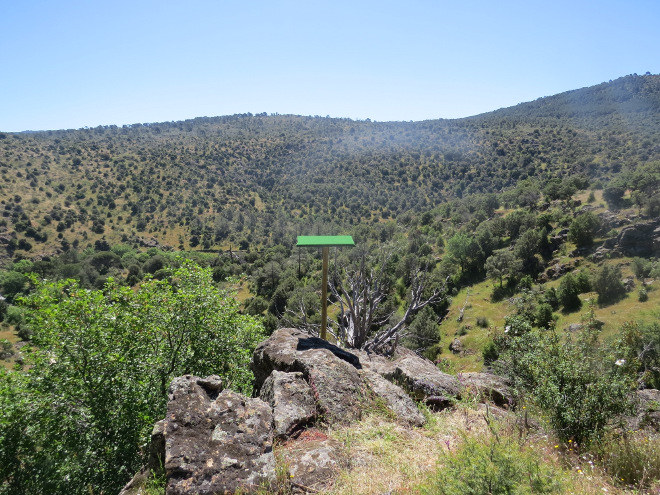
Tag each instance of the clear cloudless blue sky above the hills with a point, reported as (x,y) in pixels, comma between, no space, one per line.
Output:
(70,64)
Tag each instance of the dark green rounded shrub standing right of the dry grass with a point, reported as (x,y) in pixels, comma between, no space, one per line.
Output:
(574,380)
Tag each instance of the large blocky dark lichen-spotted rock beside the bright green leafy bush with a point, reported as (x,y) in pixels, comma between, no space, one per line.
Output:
(216,446)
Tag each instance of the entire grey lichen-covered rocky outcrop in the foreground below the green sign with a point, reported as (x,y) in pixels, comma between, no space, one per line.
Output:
(218,441)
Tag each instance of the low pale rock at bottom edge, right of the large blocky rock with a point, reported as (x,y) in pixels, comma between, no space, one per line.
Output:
(312,464)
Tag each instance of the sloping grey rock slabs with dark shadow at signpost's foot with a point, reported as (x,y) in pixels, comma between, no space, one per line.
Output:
(337,377)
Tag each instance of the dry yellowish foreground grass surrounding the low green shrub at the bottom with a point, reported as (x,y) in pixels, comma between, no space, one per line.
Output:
(386,457)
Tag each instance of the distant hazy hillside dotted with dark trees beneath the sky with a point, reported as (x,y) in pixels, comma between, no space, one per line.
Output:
(255,180)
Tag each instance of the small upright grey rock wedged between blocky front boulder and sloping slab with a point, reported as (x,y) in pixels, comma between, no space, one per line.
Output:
(292,400)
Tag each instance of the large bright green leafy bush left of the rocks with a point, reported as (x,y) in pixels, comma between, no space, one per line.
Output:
(98,375)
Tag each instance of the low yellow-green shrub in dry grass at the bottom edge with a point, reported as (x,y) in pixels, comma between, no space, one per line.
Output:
(498,465)
